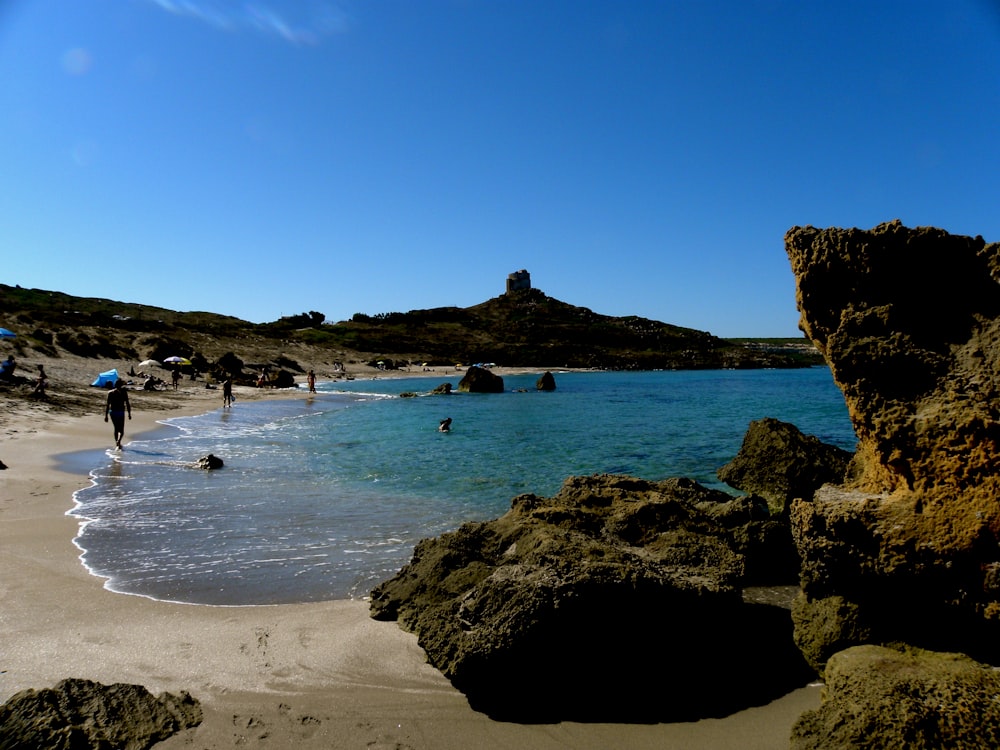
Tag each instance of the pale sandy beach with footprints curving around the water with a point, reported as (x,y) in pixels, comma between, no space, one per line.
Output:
(316,675)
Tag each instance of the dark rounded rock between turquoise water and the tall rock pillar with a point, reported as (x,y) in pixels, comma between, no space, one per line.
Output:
(779,463)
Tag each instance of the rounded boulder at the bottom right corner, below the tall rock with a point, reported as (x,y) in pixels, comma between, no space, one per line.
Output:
(884,698)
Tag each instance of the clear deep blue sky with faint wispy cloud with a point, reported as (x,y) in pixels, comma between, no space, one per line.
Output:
(261,159)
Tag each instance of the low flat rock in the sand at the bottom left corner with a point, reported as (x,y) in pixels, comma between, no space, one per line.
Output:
(80,714)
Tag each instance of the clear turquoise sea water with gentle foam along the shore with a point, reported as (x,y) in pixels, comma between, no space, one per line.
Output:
(324,497)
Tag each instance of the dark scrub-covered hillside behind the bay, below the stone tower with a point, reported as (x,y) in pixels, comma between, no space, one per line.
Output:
(525,328)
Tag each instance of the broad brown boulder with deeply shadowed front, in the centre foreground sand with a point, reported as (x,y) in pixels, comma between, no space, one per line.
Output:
(617,599)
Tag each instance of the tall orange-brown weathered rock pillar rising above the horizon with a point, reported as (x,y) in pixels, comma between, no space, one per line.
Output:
(908,549)
